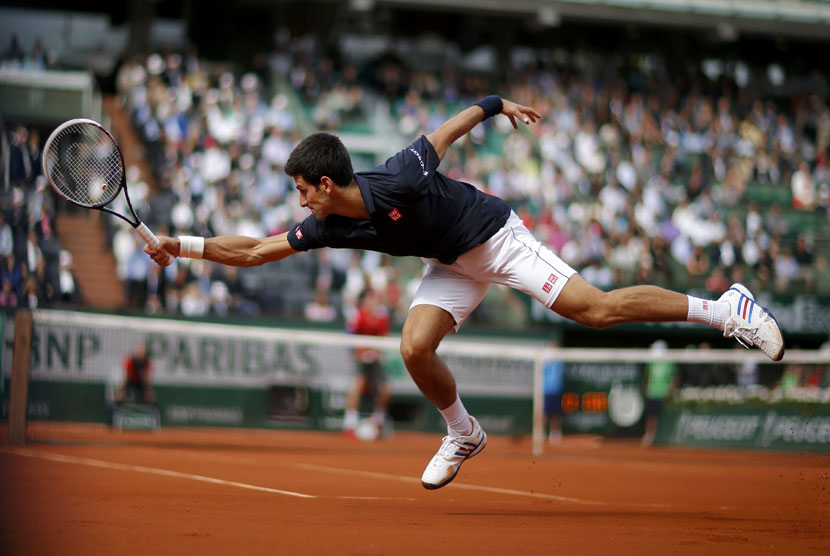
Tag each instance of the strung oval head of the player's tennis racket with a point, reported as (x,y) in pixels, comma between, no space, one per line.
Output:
(85,165)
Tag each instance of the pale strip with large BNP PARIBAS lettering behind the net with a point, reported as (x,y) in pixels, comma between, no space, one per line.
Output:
(86,347)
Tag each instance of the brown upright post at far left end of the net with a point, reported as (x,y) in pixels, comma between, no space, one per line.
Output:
(19,391)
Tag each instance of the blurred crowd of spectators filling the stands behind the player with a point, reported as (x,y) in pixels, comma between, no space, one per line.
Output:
(688,177)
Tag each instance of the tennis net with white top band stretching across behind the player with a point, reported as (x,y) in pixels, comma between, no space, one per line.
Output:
(225,375)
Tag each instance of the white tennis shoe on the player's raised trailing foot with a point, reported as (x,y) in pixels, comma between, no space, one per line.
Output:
(750,324)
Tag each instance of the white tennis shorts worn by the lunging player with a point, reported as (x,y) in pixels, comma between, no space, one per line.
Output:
(512,257)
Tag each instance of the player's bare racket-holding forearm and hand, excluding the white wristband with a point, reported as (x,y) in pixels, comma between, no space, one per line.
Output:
(229,250)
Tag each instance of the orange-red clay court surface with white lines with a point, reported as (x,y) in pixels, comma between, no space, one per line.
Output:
(261,492)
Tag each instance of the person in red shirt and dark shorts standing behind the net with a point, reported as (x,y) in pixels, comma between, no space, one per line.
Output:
(371,319)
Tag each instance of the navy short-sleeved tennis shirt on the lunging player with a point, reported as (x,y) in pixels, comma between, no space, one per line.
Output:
(413,210)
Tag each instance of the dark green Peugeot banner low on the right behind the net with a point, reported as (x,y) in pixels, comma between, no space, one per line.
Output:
(780,427)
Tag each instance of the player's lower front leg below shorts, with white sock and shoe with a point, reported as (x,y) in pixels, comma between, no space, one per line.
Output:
(425,327)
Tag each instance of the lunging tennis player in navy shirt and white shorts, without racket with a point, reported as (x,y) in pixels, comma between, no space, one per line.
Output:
(469,240)
